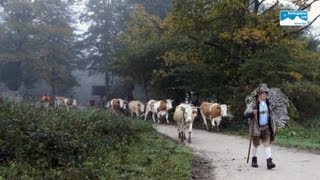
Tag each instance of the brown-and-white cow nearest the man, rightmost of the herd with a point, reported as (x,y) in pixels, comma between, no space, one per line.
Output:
(213,112)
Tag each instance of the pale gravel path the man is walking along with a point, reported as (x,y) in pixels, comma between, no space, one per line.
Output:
(228,154)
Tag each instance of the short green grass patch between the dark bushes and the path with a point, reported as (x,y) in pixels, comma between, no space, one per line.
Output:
(160,157)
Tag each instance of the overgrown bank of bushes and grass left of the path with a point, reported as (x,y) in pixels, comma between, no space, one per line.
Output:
(39,144)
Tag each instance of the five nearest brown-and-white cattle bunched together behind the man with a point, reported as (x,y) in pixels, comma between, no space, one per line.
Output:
(184,114)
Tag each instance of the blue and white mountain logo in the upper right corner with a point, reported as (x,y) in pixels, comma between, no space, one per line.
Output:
(293,18)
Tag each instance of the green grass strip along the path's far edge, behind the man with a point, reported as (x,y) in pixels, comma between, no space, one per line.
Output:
(300,135)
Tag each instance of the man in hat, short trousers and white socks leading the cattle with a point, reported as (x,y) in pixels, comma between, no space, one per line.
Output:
(262,126)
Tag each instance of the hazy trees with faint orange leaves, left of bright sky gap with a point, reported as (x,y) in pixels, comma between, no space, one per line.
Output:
(38,38)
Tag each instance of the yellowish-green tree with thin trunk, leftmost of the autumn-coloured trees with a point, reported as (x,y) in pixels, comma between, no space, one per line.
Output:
(136,60)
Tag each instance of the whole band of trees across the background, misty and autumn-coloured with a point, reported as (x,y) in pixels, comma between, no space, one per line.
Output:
(217,49)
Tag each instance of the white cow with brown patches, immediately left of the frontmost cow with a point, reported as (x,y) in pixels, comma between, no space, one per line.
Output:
(159,108)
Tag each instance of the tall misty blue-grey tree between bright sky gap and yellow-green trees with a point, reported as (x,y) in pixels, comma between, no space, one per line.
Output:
(107,19)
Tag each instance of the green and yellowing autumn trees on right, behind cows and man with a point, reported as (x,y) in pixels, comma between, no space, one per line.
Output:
(221,50)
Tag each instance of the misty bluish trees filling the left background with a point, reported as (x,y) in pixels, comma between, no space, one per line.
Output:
(40,40)
